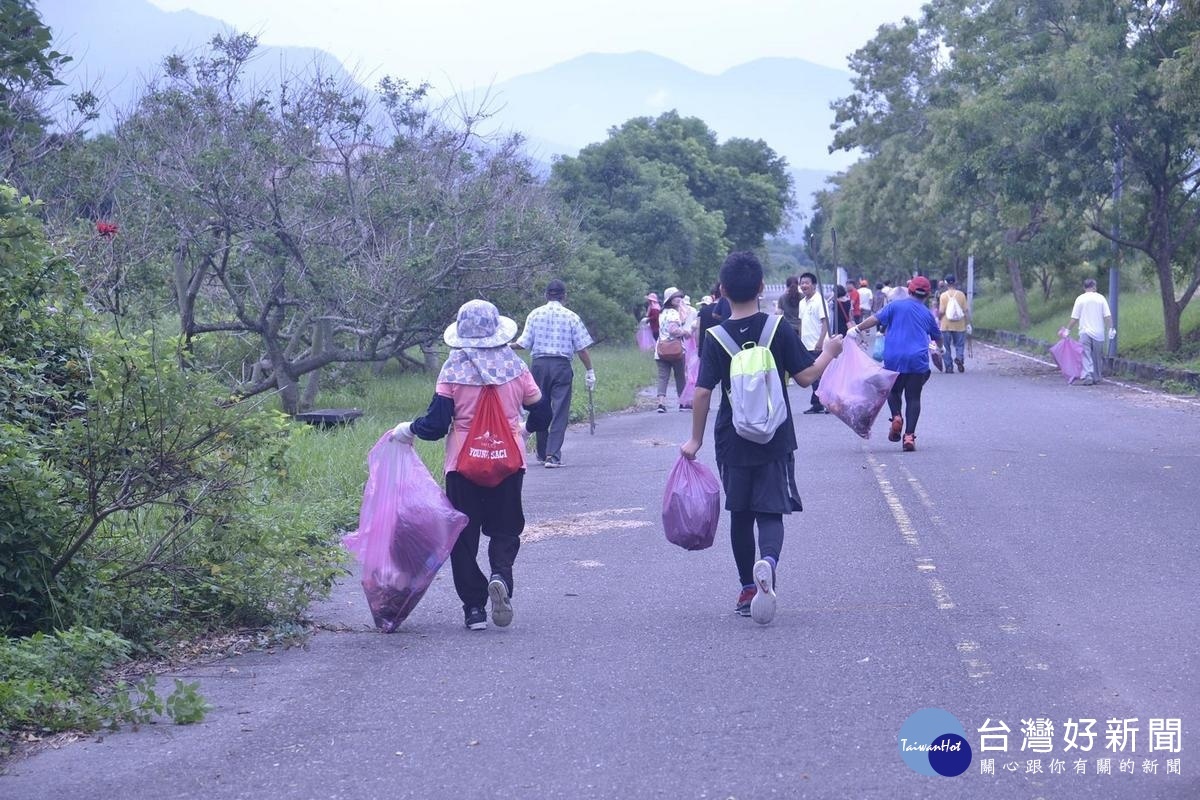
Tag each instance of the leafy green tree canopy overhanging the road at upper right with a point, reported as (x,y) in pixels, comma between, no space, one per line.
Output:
(1000,128)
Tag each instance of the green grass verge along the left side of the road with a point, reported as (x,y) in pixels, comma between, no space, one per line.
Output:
(328,467)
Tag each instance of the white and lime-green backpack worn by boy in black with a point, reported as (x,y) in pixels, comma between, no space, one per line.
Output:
(757,393)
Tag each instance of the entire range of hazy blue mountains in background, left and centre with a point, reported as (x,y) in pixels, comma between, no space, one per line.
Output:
(119,45)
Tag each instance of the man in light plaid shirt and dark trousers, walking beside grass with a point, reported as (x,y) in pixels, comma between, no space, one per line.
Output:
(554,334)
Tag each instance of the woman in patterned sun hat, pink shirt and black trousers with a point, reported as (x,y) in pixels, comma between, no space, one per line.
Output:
(481,358)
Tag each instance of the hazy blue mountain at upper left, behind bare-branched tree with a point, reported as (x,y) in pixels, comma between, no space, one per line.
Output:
(119,45)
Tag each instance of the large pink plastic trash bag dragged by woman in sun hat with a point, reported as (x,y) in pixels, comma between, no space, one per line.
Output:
(407,528)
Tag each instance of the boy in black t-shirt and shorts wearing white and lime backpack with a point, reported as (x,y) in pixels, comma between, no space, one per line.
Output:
(754,436)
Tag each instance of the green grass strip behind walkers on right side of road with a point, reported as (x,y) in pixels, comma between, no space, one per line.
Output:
(1139,323)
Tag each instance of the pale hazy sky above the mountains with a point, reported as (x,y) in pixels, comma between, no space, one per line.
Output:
(461,44)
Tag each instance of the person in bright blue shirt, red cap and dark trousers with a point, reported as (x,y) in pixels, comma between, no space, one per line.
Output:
(911,328)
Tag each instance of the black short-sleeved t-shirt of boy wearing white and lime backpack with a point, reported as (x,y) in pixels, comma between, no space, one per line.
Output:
(715,369)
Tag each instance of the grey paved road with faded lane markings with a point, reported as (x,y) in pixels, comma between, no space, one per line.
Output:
(1035,558)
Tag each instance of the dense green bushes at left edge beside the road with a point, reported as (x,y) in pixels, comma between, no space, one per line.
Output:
(130,496)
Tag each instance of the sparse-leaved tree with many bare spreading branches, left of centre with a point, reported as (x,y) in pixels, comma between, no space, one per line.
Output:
(319,227)
